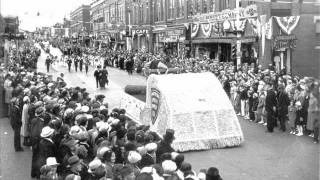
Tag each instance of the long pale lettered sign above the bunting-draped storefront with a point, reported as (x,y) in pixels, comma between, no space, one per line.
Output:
(248,12)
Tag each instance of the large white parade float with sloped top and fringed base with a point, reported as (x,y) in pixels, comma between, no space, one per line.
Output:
(194,105)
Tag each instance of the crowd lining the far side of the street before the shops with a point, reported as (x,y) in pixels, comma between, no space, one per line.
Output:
(259,95)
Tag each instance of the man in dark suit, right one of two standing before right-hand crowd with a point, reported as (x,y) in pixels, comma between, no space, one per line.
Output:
(283,103)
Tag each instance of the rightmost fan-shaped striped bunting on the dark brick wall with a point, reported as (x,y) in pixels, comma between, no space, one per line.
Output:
(288,23)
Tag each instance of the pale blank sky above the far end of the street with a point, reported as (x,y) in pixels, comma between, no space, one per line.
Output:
(51,11)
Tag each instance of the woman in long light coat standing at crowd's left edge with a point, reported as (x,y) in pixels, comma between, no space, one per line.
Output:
(25,130)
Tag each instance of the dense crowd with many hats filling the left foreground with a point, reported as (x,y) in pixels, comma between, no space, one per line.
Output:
(76,136)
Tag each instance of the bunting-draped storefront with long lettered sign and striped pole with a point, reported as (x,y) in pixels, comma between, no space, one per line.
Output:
(217,35)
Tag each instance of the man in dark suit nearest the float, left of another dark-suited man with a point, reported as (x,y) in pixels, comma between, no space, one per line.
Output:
(271,104)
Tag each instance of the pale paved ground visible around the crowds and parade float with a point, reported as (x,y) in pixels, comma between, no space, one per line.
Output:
(263,156)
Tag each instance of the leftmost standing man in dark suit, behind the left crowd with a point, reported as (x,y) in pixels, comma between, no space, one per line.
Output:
(16,123)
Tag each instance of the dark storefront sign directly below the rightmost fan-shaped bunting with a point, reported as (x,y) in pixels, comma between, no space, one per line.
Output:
(284,42)
